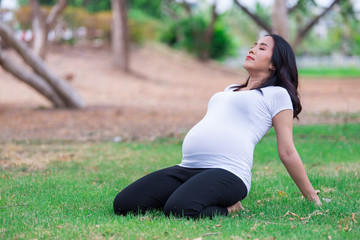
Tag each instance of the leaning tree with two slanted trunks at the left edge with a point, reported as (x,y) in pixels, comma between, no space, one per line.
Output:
(42,79)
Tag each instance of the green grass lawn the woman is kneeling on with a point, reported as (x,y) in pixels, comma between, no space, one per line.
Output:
(64,190)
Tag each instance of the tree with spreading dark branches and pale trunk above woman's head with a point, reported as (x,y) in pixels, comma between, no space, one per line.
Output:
(280,19)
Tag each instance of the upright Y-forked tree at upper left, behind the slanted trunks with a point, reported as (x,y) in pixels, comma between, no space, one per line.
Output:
(41,25)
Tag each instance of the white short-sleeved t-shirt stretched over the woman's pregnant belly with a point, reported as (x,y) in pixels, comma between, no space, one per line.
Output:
(233,124)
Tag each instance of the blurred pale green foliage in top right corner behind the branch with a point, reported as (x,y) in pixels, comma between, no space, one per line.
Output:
(342,35)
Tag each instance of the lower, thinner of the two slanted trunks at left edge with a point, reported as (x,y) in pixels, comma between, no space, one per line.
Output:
(31,79)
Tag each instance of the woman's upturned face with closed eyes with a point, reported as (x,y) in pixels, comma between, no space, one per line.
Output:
(259,56)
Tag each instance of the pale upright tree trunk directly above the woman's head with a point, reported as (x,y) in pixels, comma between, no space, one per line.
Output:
(280,19)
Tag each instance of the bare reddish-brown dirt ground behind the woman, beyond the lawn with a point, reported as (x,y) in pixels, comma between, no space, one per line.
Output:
(165,95)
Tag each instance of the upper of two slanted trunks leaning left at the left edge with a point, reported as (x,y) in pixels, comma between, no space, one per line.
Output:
(68,94)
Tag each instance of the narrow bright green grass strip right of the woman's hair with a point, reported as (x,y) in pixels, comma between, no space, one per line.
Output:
(329,72)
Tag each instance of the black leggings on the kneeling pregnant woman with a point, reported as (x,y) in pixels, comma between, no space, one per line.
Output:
(188,192)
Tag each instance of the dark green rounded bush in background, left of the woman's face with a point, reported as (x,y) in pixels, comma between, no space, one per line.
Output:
(189,34)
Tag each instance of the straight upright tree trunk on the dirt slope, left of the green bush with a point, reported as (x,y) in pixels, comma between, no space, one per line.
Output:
(120,35)
